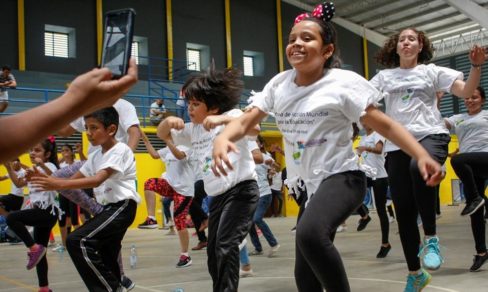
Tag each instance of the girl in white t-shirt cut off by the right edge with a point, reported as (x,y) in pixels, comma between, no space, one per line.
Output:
(471,166)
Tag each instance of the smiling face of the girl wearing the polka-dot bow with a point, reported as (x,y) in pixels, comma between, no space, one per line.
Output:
(305,50)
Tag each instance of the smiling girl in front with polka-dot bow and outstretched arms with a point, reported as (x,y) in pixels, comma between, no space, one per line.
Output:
(314,105)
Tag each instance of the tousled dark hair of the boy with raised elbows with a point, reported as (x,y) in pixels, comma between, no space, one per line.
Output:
(218,89)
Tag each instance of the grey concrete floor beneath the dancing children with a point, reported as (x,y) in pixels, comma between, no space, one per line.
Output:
(158,254)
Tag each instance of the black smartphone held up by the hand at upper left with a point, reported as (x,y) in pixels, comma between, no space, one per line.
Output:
(117,41)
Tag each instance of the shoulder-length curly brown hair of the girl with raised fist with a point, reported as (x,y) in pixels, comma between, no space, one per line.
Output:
(389,58)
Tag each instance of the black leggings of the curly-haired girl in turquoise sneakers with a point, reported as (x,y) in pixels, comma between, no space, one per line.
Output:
(412,196)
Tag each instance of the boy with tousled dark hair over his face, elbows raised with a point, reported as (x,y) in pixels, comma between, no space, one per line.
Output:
(212,96)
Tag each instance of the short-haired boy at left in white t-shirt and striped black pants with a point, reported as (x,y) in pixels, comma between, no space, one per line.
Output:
(111,171)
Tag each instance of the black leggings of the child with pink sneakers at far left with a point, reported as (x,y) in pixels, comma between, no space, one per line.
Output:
(43,221)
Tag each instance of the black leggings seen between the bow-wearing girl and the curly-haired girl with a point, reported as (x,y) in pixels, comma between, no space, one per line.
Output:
(380,187)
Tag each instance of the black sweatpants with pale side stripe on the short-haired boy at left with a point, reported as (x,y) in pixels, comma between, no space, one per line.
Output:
(95,246)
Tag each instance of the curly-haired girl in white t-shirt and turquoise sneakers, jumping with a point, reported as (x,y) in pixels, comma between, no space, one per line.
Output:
(410,87)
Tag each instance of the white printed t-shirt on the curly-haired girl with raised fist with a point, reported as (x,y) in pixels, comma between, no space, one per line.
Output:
(411,97)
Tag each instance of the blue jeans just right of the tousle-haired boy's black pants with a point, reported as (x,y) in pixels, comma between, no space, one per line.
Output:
(263,205)
